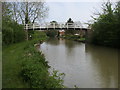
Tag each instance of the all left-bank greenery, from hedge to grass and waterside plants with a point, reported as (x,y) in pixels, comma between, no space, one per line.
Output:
(24,66)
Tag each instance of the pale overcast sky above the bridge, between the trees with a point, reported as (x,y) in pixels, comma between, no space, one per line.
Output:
(78,10)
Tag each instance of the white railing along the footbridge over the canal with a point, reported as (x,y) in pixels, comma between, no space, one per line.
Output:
(55,25)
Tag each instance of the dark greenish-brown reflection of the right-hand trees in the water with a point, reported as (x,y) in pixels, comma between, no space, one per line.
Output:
(105,59)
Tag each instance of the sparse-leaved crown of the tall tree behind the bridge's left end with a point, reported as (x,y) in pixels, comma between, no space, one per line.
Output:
(29,12)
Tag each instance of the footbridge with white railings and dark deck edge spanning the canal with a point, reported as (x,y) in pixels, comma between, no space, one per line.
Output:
(56,26)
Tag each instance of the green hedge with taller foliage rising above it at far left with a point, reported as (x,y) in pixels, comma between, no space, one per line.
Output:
(12,32)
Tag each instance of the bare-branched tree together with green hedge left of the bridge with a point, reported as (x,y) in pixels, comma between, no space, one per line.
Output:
(15,15)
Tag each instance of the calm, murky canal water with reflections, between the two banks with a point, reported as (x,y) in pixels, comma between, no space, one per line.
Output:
(84,65)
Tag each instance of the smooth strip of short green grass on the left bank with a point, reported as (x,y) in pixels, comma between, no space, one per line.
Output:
(11,66)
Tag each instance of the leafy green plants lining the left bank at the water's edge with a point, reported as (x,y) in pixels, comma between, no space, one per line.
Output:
(35,68)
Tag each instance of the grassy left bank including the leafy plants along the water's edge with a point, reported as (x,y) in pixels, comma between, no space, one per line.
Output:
(25,67)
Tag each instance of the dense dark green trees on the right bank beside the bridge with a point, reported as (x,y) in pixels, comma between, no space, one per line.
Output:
(106,28)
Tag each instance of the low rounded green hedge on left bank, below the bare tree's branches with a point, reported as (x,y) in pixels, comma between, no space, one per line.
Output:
(12,32)
